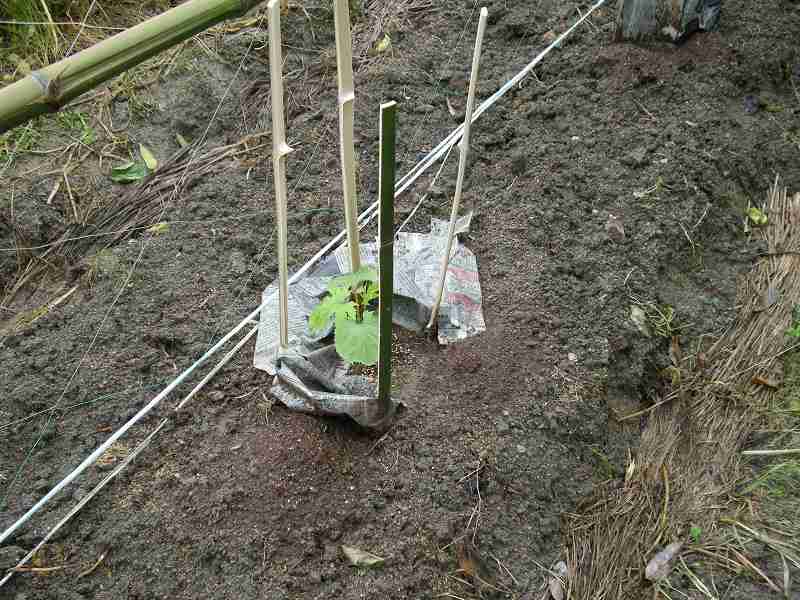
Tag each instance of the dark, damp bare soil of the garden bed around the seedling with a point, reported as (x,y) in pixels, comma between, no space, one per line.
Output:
(238,498)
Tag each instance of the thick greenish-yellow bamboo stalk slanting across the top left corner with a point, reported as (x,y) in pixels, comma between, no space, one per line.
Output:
(50,88)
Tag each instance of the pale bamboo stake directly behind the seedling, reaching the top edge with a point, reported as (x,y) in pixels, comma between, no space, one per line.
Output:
(344,67)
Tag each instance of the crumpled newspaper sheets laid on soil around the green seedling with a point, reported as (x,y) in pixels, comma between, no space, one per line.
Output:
(313,378)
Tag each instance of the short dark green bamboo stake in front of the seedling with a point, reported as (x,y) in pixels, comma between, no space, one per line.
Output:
(387,129)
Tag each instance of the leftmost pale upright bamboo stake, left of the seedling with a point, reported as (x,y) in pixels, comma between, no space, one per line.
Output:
(280,149)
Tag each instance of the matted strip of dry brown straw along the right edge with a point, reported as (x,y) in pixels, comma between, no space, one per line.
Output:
(688,462)
